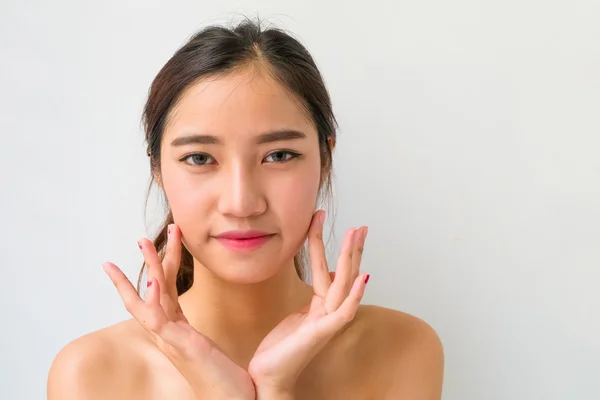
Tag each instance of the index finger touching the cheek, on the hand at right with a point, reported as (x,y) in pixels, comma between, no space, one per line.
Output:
(318,258)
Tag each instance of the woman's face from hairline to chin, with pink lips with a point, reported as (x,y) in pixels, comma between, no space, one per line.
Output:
(238,154)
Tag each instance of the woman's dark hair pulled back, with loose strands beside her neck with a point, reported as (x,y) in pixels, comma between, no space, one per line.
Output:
(217,50)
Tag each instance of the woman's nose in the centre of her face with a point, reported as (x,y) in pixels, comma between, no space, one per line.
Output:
(241,193)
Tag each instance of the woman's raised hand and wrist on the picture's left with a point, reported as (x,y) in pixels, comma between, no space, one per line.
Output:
(208,370)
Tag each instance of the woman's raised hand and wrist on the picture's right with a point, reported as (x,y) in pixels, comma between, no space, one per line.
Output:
(292,344)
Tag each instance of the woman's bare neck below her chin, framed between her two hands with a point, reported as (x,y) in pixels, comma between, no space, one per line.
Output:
(238,316)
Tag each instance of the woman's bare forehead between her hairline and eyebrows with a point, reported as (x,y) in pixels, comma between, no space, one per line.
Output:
(244,102)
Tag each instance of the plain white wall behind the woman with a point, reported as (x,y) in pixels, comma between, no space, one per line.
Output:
(469,144)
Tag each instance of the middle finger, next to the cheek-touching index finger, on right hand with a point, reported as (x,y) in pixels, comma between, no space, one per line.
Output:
(338,290)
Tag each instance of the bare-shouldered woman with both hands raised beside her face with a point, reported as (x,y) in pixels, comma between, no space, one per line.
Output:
(240,135)
